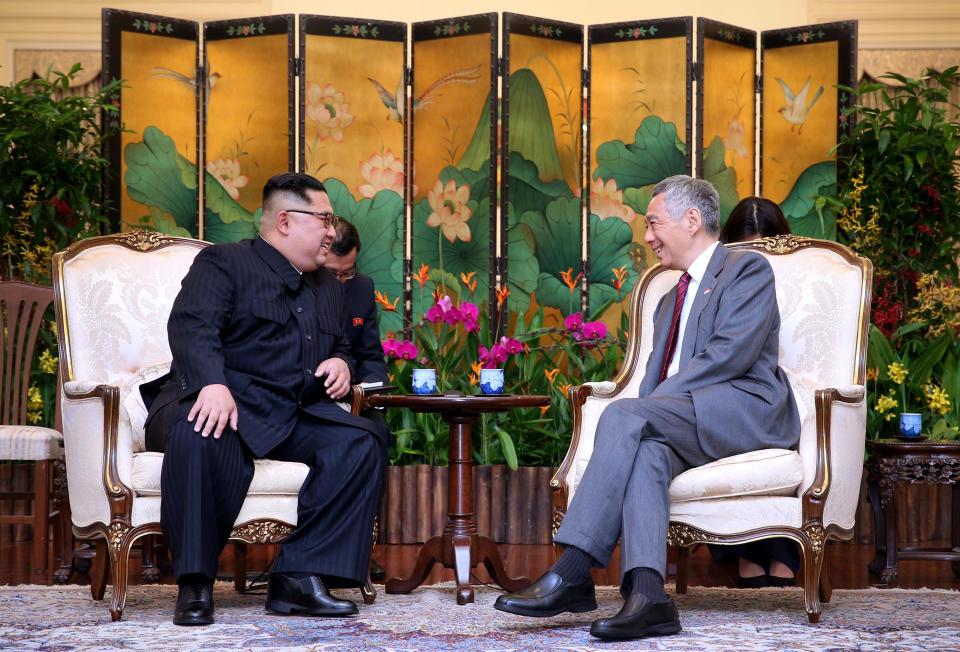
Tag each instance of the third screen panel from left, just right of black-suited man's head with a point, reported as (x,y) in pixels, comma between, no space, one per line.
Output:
(352,126)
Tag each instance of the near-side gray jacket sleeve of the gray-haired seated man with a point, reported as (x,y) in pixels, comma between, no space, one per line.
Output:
(748,310)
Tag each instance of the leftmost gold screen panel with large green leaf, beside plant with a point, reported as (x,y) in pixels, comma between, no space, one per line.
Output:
(154,160)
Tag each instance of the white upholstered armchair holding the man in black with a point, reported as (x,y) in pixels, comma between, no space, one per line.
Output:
(113,296)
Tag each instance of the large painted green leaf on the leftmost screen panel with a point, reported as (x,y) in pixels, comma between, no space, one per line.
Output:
(154,177)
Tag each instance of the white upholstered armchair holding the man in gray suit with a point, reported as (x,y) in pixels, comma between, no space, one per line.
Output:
(808,495)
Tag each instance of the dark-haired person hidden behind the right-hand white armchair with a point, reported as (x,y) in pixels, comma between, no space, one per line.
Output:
(771,562)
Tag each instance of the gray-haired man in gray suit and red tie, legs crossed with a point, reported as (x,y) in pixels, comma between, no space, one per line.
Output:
(712,389)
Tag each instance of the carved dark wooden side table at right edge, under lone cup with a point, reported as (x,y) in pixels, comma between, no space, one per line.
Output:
(922,462)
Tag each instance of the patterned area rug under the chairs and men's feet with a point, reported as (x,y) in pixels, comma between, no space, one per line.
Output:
(66,618)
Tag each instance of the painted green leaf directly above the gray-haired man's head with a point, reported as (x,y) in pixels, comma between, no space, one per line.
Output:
(652,157)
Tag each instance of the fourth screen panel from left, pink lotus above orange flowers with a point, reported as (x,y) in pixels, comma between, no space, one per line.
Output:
(453,132)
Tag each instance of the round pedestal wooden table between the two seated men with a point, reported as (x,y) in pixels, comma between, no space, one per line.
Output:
(459,547)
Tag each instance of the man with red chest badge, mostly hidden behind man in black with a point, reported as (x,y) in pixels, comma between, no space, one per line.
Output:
(360,326)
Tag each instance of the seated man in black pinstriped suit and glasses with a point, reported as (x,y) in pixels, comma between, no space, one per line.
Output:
(258,354)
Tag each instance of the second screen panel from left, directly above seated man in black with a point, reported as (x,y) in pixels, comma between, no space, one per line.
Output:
(248,119)
